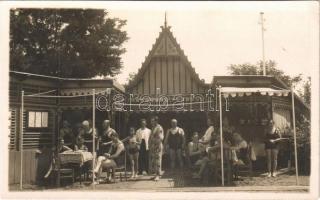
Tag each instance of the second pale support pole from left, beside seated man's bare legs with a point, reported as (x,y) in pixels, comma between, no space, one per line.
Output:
(93,133)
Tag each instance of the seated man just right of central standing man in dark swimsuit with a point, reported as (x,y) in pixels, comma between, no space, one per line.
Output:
(194,150)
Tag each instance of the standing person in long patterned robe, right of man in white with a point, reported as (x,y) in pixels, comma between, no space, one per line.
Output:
(155,148)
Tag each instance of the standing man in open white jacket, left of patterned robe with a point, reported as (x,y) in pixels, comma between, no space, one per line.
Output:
(143,135)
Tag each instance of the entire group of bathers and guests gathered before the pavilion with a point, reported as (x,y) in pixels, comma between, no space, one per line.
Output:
(145,147)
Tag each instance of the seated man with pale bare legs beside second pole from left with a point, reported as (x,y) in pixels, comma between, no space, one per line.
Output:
(109,160)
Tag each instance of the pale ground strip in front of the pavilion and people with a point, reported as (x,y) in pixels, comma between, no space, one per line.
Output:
(181,180)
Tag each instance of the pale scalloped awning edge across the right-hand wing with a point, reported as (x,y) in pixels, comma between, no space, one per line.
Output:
(235,91)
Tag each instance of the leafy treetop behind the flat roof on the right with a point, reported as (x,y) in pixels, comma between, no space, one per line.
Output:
(271,69)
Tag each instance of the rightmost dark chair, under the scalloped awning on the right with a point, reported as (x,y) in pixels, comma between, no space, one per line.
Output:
(246,168)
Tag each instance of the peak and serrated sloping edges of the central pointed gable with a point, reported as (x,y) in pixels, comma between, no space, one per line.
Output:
(172,49)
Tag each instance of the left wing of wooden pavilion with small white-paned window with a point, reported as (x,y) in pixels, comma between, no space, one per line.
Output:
(43,116)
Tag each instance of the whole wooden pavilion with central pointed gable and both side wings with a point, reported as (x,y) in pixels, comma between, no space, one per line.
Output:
(166,71)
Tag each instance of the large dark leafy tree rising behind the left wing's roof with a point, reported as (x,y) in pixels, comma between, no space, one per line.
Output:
(79,43)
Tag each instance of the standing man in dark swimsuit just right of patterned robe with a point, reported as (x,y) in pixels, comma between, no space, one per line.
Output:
(175,141)
